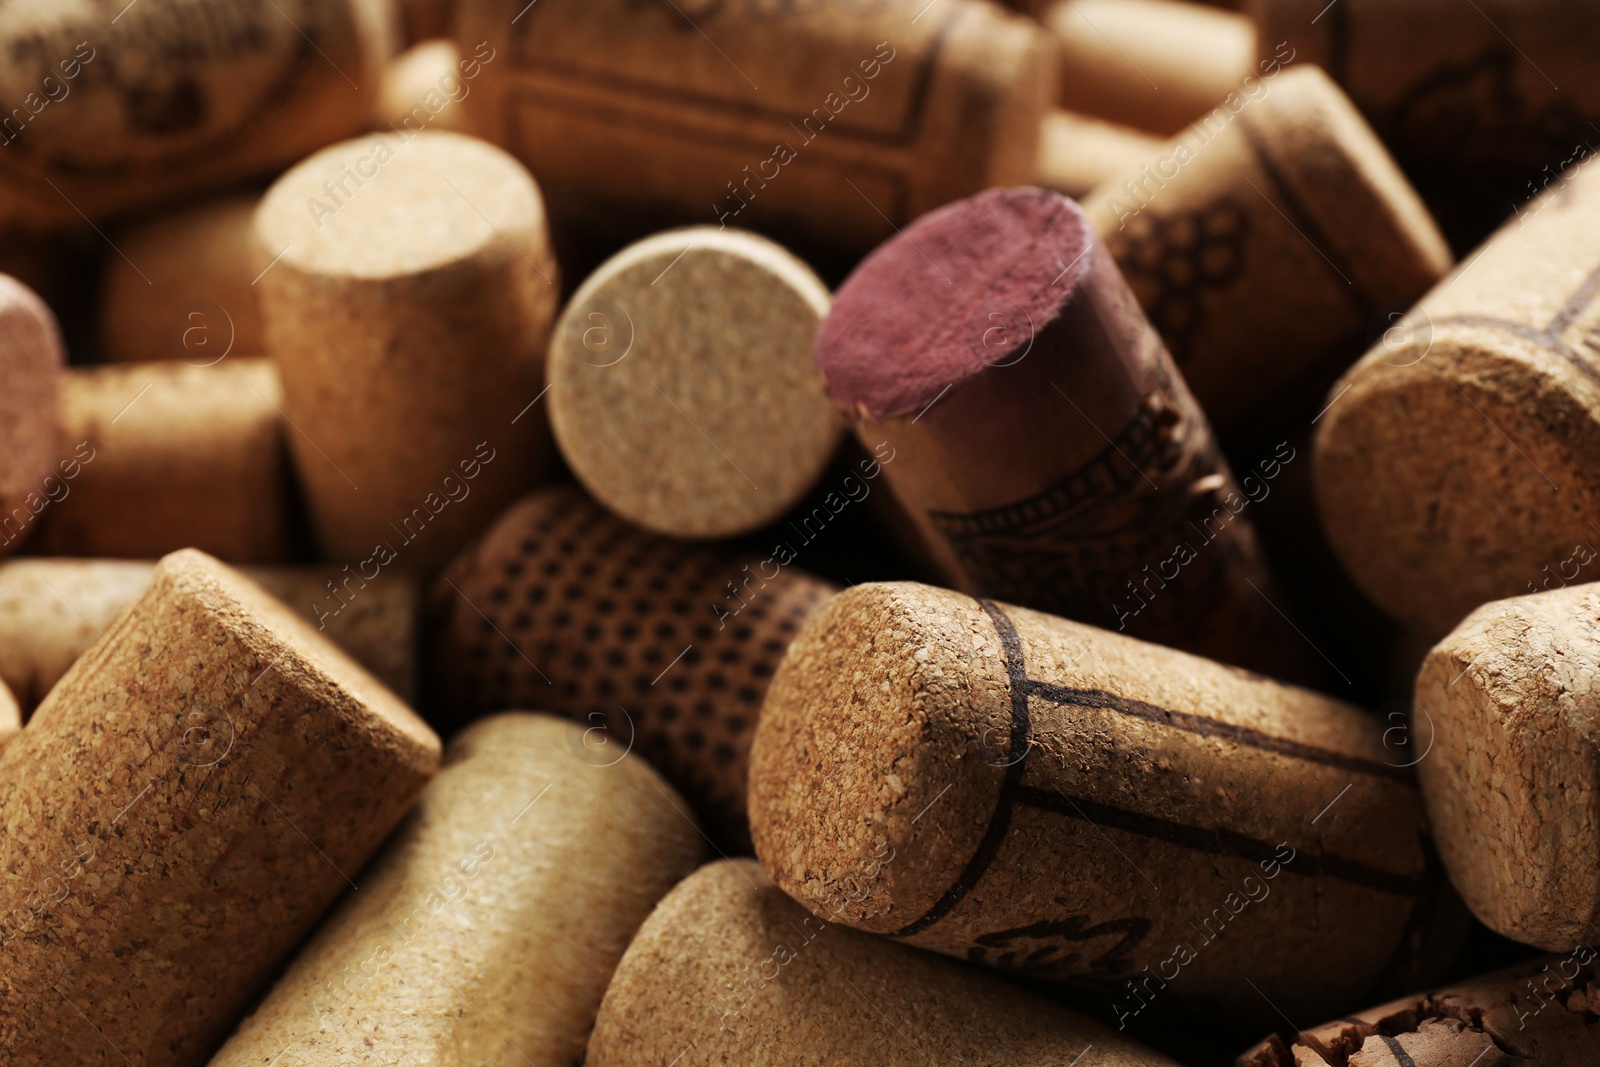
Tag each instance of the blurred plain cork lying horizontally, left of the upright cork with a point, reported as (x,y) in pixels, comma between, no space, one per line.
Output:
(175,457)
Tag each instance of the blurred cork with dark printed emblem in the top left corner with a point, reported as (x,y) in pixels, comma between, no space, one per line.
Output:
(110,111)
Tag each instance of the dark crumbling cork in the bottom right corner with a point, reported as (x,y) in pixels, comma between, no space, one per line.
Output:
(1542,1013)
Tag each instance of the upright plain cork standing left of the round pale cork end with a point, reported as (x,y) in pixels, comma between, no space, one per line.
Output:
(409,314)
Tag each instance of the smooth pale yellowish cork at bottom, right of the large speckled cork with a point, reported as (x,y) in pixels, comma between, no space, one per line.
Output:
(490,925)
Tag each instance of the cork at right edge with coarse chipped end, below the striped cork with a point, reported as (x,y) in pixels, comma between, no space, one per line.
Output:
(1511,703)
